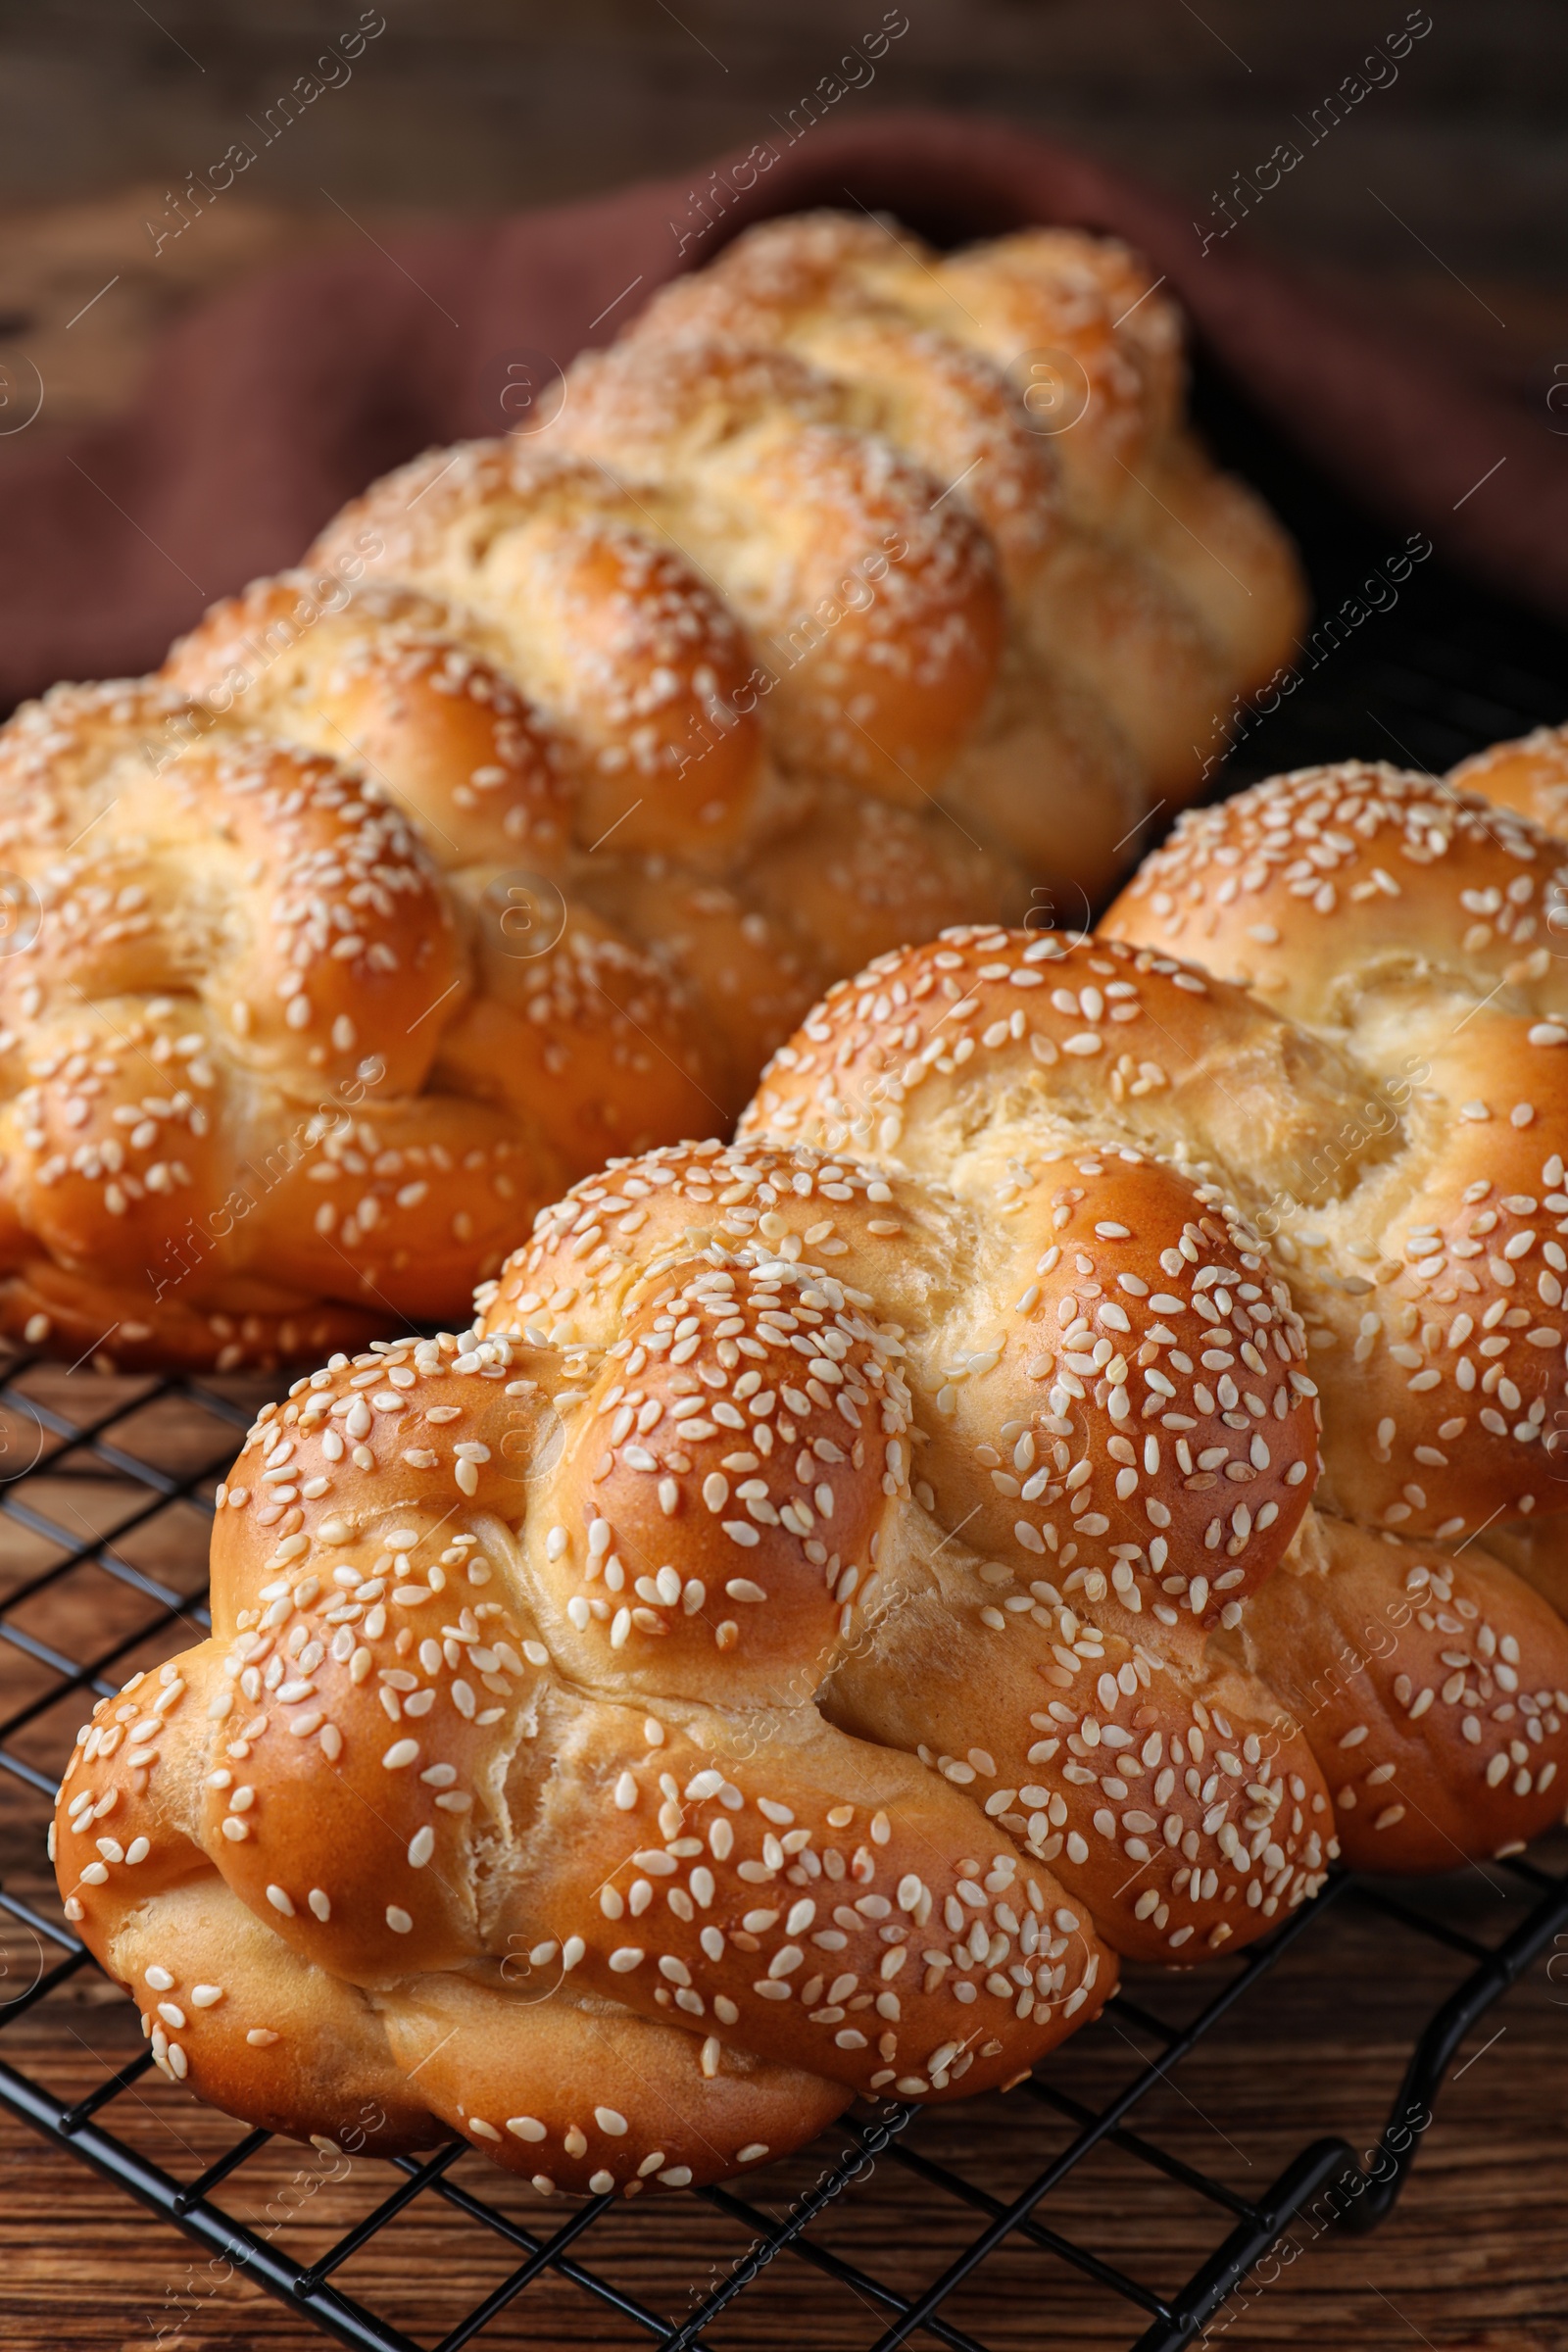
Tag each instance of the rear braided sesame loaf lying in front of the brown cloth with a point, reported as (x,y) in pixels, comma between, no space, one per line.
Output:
(401,902)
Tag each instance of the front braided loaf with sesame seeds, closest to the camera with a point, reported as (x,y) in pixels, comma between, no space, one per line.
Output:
(916,1495)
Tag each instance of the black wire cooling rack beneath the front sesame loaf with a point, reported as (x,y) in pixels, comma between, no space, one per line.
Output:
(105,1530)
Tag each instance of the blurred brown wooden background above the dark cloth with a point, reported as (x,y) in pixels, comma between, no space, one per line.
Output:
(462,107)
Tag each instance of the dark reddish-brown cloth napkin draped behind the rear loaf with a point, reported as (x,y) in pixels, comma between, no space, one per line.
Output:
(272,406)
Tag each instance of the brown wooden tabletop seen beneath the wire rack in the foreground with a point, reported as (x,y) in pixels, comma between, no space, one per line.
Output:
(1473,2261)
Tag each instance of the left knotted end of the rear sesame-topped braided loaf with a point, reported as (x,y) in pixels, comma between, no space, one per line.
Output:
(220,1027)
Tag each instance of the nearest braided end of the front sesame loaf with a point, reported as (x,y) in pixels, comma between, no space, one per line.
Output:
(502,1800)
